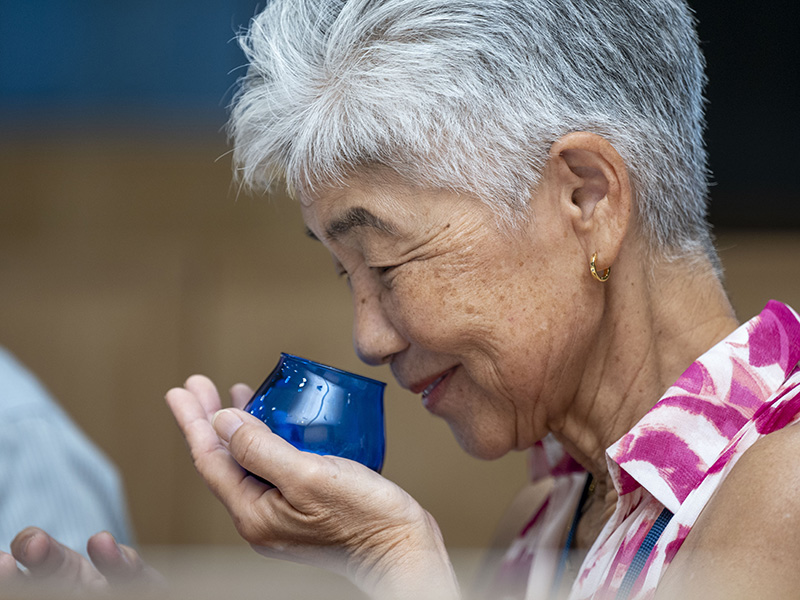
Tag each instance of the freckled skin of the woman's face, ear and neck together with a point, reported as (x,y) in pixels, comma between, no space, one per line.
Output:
(514,335)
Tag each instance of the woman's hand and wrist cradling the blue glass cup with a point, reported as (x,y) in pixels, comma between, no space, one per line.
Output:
(323,510)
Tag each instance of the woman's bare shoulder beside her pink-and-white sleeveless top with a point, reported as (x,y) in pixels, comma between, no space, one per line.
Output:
(744,543)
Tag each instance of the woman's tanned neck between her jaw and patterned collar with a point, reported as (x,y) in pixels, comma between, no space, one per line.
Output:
(652,329)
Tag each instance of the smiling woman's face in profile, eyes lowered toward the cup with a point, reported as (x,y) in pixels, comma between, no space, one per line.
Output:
(484,323)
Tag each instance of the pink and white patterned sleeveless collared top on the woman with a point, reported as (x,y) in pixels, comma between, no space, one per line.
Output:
(675,457)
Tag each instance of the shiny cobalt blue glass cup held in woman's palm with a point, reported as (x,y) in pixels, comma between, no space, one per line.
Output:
(323,410)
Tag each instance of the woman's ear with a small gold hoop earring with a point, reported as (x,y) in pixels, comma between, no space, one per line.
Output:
(595,191)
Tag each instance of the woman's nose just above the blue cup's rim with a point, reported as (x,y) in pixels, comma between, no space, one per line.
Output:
(375,338)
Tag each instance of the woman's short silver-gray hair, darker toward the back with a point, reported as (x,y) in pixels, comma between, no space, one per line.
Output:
(469,95)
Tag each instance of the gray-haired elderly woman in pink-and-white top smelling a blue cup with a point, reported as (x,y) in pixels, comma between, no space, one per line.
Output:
(516,193)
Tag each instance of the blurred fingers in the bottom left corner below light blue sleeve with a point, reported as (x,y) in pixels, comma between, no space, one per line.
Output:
(51,567)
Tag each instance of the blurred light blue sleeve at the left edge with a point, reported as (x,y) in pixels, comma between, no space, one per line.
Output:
(51,475)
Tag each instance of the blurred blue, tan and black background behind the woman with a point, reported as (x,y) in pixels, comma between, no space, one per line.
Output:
(128,261)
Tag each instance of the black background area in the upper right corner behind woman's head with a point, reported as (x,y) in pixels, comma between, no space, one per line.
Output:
(753,55)
